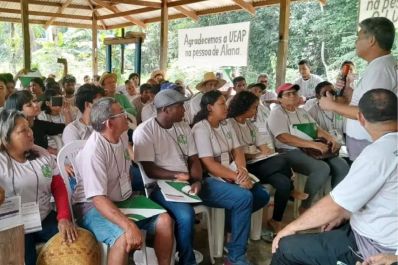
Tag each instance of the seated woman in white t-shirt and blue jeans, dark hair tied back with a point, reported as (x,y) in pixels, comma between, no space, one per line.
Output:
(229,186)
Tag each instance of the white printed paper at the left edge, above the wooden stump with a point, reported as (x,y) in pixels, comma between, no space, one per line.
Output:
(10,213)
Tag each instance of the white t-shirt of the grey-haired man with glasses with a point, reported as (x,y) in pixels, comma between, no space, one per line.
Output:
(103,168)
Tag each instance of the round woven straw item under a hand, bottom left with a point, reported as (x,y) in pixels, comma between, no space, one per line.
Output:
(84,251)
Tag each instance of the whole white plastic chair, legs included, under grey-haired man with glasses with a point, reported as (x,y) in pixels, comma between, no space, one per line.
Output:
(68,153)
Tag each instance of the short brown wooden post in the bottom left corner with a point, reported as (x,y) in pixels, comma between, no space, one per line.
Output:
(12,246)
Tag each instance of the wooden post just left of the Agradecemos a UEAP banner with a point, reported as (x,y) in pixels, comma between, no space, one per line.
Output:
(164,28)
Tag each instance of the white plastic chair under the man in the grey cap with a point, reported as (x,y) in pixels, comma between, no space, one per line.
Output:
(149,186)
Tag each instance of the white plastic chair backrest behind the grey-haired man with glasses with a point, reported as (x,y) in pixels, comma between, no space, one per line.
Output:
(68,153)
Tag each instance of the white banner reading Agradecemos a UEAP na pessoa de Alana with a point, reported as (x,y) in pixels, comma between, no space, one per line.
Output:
(214,46)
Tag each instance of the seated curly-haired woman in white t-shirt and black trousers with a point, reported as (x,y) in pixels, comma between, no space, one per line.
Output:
(274,170)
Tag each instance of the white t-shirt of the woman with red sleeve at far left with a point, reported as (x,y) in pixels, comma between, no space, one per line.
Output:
(31,179)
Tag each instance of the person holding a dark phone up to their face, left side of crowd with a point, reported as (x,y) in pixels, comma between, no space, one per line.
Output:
(56,111)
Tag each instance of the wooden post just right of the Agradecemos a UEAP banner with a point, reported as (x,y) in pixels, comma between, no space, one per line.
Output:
(284,18)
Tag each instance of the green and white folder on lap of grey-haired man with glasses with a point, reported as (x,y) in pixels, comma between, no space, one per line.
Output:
(139,208)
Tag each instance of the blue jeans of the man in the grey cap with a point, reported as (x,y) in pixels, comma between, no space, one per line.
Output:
(184,218)
